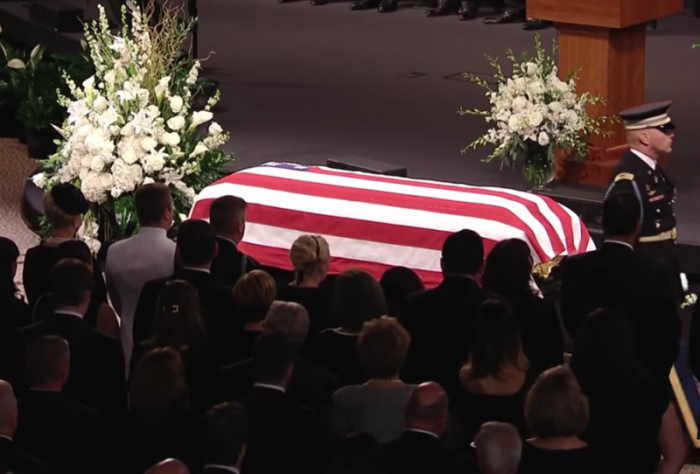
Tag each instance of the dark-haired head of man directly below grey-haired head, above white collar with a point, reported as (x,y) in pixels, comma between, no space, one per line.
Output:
(272,358)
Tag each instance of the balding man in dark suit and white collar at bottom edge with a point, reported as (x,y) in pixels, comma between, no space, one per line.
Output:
(420,450)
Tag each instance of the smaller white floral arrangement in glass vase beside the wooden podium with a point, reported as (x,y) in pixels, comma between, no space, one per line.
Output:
(534,114)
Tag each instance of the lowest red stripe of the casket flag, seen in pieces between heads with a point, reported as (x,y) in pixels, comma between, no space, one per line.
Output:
(279,258)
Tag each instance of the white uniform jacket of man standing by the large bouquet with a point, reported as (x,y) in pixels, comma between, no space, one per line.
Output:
(130,264)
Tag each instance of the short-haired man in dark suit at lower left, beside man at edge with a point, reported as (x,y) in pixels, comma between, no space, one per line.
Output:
(66,435)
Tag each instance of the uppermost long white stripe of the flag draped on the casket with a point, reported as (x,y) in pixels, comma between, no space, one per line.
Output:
(518,209)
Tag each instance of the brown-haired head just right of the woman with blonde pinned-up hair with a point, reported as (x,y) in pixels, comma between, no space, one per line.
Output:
(357,298)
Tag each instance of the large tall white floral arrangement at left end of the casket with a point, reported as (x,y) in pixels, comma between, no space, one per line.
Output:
(134,123)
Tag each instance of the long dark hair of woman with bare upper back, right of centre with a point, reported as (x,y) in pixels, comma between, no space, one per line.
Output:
(496,343)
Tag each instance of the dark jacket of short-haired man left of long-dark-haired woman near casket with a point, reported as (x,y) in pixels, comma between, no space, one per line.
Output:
(440,322)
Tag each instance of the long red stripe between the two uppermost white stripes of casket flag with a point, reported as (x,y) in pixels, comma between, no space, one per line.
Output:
(477,210)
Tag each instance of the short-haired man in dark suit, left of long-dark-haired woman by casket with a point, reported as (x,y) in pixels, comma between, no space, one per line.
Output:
(440,320)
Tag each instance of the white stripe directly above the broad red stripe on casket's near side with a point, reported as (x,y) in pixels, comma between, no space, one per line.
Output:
(488,229)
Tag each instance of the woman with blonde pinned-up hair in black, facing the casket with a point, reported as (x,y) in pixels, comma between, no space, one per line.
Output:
(310,257)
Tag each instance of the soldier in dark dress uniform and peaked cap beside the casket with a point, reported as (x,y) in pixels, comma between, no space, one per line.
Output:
(650,136)
